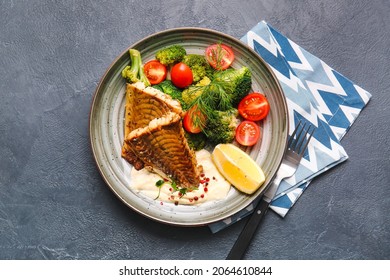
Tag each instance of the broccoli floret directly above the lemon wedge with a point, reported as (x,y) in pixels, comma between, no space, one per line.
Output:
(222,127)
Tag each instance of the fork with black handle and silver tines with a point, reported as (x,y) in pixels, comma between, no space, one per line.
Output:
(296,147)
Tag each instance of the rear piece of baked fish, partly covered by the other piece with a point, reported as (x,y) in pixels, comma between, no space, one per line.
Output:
(144,104)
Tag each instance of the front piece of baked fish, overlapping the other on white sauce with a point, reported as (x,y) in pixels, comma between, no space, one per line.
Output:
(162,146)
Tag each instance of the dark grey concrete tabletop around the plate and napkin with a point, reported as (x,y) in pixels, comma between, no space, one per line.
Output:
(55,205)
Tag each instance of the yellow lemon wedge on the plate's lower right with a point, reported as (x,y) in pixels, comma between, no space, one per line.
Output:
(238,168)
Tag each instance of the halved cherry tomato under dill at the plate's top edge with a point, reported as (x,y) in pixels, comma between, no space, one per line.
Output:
(219,56)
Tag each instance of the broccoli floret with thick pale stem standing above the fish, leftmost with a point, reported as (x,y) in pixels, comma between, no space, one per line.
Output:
(135,72)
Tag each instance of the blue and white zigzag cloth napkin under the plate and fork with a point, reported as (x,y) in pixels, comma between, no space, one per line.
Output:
(316,94)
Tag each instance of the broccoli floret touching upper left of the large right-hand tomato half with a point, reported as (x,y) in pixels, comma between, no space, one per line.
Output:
(237,82)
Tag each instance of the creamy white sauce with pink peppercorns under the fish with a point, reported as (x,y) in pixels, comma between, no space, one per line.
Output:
(213,185)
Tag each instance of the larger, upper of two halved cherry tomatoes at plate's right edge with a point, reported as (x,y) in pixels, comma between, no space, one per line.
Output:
(254,107)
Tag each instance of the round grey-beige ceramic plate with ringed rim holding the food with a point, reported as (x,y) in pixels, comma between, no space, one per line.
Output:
(107,124)
